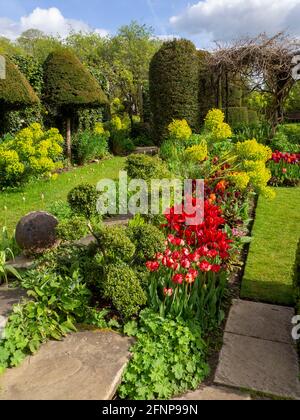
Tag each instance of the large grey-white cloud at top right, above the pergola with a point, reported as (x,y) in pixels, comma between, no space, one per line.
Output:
(229,19)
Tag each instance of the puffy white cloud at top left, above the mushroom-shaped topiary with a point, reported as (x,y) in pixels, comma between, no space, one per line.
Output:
(51,21)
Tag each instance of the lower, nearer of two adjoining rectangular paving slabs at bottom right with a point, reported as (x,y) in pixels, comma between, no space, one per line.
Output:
(259,365)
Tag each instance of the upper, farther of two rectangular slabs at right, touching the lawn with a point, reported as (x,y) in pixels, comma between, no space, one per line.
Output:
(258,320)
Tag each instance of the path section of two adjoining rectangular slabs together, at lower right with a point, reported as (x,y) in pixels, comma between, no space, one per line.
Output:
(258,353)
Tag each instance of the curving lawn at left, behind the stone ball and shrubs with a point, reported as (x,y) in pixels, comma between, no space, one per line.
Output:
(52,191)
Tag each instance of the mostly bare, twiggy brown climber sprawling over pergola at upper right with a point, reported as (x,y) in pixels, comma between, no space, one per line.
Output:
(264,63)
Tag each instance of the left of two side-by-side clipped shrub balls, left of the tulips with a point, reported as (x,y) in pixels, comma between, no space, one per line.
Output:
(115,244)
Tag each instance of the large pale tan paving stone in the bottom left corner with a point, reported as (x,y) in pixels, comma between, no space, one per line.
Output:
(84,366)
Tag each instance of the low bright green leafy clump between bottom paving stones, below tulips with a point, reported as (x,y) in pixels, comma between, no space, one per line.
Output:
(168,358)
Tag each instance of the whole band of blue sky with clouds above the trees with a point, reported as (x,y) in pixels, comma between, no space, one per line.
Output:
(201,21)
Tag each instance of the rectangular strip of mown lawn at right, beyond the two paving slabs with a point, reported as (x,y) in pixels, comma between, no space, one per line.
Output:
(269,273)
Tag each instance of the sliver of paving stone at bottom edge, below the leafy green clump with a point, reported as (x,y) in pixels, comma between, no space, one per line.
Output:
(214,393)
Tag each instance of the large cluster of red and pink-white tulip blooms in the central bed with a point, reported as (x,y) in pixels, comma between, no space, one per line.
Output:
(193,249)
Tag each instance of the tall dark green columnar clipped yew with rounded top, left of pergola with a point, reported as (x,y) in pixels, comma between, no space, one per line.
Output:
(174,81)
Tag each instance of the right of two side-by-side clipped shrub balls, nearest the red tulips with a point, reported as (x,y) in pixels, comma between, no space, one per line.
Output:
(148,240)
